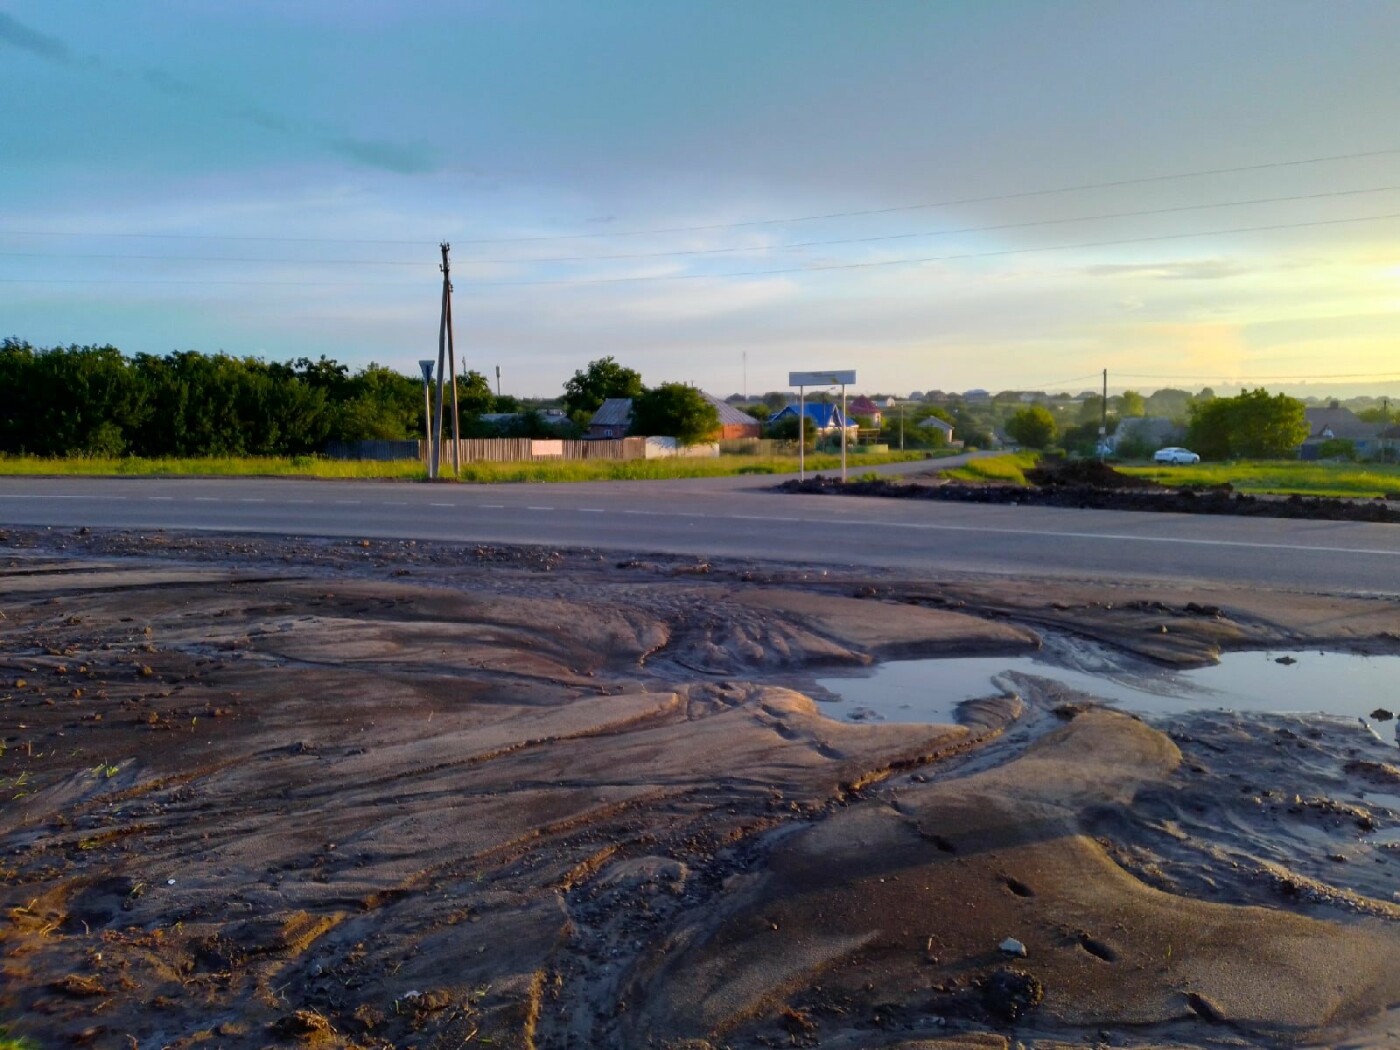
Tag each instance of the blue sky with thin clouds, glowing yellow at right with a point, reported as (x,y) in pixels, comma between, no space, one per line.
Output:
(1002,195)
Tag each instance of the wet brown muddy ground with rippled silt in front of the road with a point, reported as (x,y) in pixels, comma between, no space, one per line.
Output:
(338,794)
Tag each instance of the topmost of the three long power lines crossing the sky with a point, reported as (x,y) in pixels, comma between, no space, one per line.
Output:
(954,202)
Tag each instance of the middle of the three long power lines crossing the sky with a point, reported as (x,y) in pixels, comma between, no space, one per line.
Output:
(997,227)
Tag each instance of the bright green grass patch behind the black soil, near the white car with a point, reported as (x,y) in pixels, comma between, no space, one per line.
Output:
(1282,477)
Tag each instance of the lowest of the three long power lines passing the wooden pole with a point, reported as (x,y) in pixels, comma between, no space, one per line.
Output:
(821,268)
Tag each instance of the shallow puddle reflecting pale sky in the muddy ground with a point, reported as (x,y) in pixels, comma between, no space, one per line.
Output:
(1308,682)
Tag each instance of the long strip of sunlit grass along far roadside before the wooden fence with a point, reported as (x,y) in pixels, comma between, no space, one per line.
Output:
(409,470)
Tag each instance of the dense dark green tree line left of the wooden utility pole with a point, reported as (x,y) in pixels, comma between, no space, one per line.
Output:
(97,401)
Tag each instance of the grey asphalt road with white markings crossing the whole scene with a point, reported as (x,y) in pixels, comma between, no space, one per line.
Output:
(738,517)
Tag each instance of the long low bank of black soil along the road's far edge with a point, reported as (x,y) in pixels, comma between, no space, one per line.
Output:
(1069,485)
